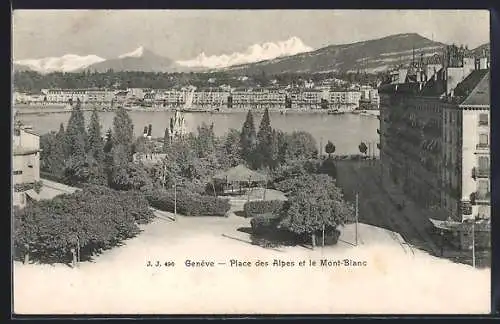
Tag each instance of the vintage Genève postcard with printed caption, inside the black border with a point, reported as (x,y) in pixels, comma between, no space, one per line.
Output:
(251,162)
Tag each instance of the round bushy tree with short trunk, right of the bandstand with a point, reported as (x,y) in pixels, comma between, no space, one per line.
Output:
(314,204)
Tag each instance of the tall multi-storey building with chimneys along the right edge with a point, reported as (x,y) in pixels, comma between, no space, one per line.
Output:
(434,137)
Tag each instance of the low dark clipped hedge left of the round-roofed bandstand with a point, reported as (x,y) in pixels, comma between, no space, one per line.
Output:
(188,203)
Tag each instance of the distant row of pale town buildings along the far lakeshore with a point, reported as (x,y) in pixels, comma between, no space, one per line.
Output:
(329,94)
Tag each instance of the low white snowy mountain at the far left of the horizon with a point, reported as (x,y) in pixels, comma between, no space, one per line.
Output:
(65,63)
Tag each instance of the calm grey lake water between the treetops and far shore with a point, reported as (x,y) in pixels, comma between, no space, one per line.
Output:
(345,131)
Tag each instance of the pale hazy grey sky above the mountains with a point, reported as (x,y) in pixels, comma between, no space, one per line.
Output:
(183,34)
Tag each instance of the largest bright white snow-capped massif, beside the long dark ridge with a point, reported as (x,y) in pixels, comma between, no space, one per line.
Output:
(254,53)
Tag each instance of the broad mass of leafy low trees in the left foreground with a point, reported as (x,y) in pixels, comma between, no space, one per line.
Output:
(91,219)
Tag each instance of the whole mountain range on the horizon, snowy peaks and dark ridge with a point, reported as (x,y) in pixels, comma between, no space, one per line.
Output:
(272,58)
